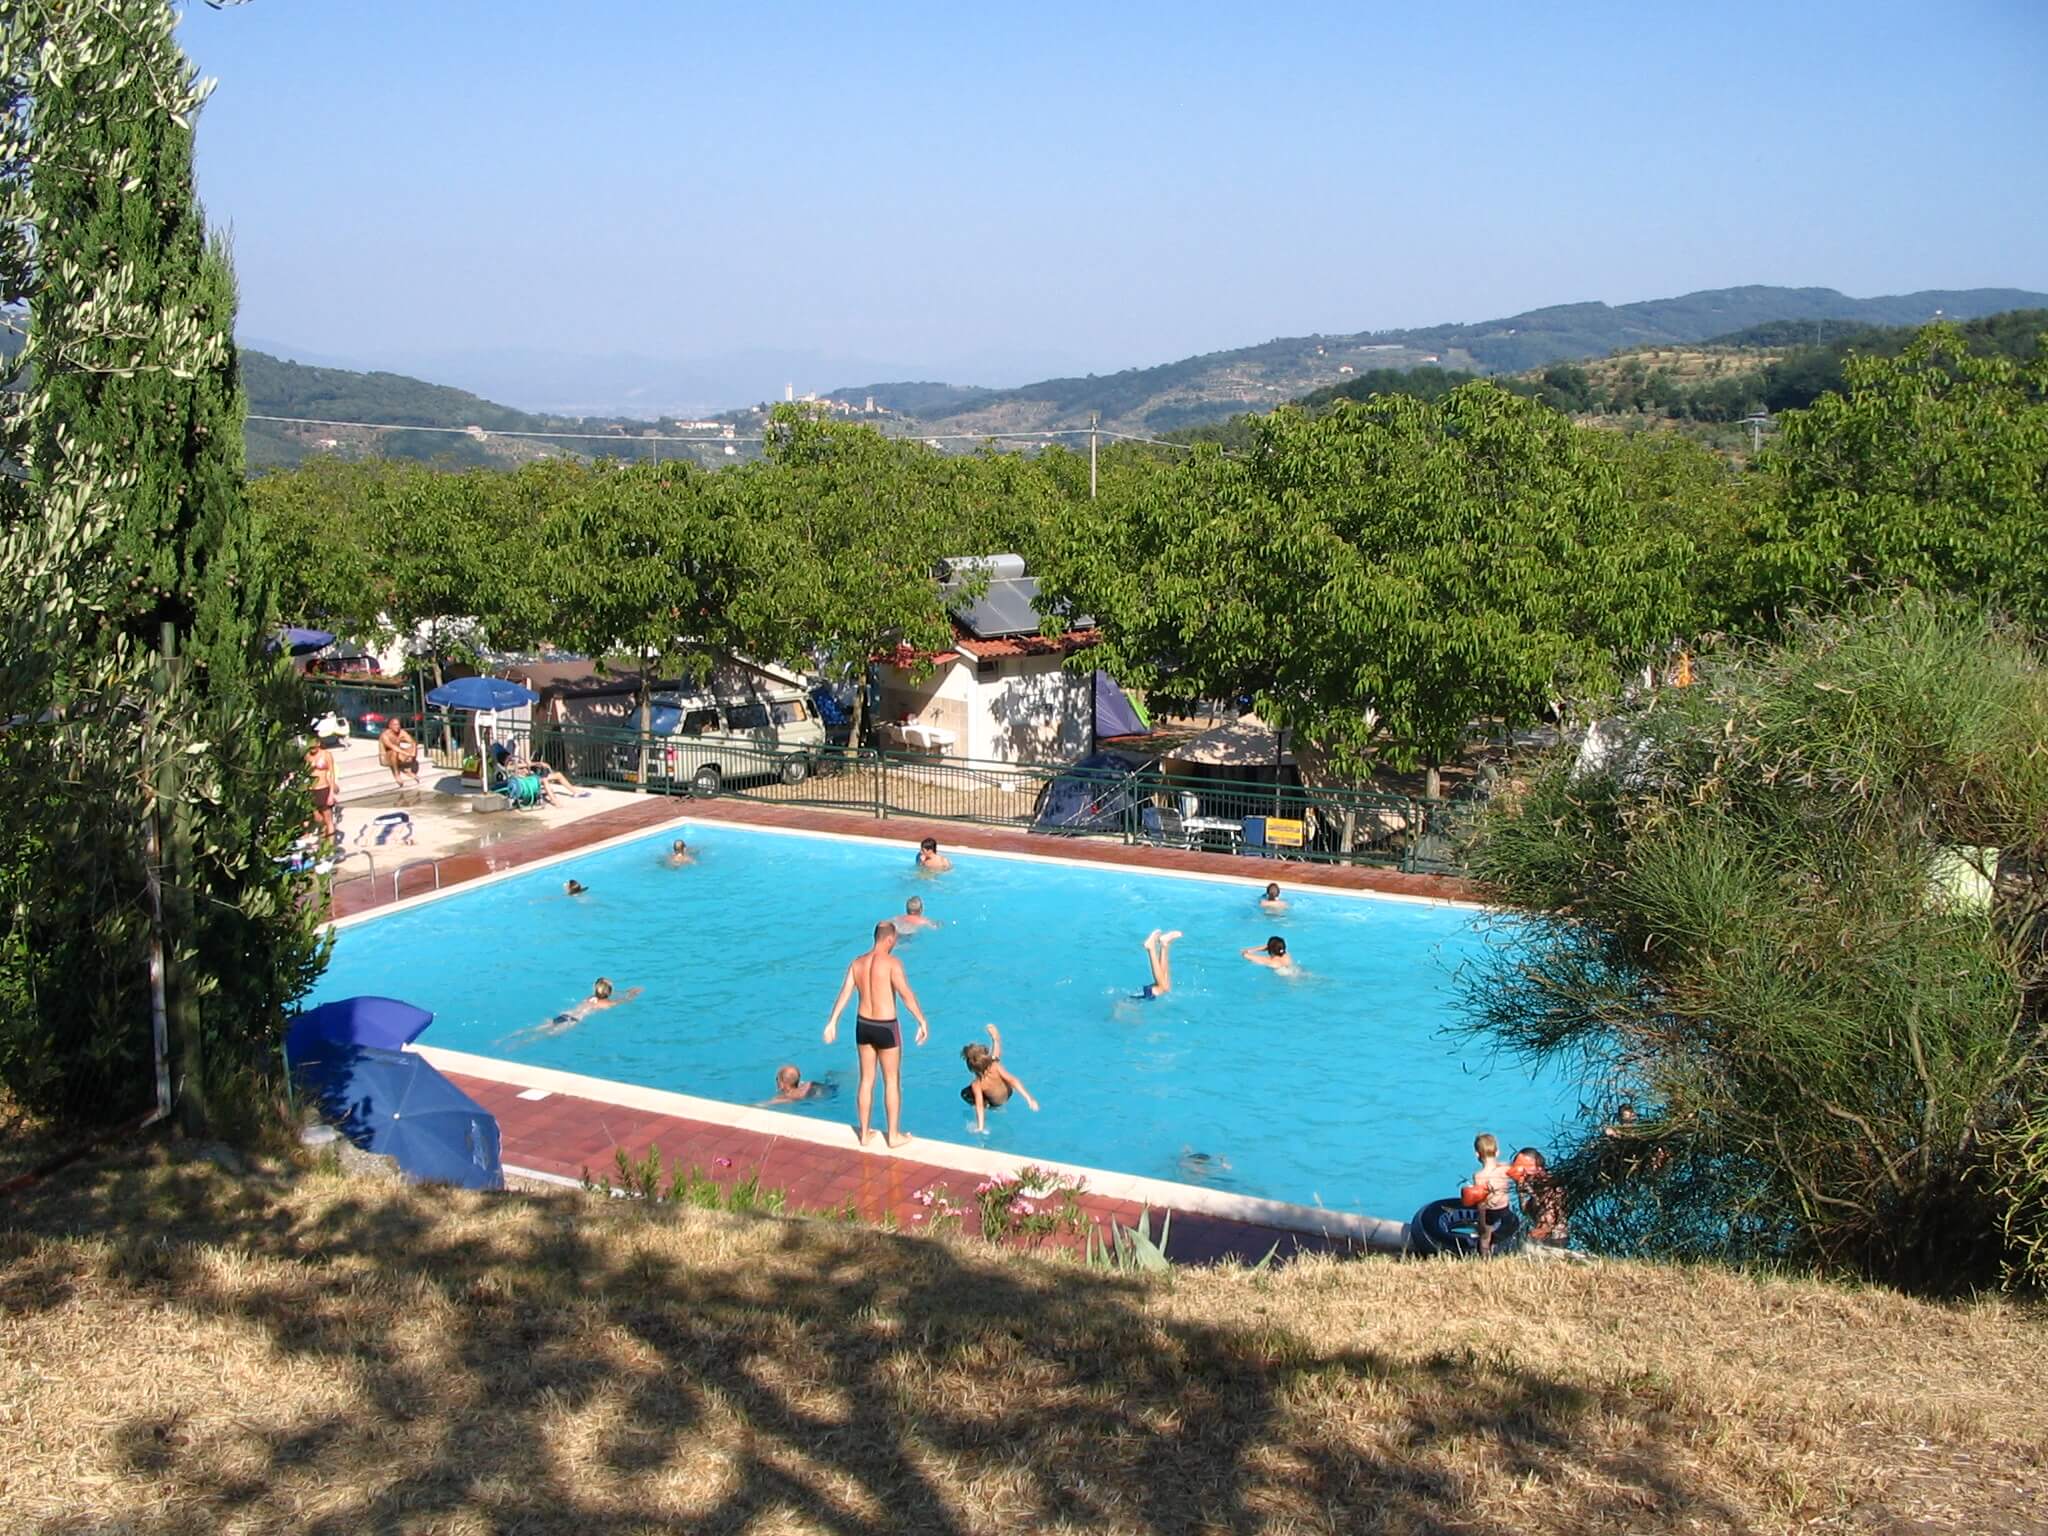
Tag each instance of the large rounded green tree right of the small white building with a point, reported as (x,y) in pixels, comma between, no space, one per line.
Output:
(1377,577)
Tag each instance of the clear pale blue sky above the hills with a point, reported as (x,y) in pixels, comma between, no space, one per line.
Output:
(1091,187)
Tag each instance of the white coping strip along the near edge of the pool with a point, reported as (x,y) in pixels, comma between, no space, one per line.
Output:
(1373,1234)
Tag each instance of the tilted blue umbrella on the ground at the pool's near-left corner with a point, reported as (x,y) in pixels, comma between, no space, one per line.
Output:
(394,1105)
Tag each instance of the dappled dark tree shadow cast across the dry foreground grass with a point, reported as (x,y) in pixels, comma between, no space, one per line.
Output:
(562,1367)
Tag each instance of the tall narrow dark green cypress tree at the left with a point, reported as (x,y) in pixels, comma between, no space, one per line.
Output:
(173,703)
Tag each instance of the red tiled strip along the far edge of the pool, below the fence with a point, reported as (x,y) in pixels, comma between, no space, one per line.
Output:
(361,896)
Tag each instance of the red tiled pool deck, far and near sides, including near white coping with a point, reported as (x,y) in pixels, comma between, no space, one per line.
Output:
(560,1125)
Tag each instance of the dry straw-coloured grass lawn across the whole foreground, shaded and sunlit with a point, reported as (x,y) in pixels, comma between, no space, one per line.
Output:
(194,1353)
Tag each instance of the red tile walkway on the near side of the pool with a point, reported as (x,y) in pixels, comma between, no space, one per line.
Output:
(568,1138)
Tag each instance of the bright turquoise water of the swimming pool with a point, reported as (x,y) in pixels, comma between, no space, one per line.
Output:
(1334,1089)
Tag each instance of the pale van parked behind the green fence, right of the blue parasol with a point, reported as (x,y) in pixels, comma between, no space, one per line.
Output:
(708,742)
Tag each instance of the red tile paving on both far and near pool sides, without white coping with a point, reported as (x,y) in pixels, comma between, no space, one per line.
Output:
(566,1136)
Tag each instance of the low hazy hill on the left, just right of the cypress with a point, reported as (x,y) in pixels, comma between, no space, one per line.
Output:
(278,388)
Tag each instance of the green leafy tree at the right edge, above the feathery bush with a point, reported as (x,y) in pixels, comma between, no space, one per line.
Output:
(1924,470)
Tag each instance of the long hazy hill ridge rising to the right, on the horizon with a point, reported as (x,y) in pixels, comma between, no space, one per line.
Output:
(1218,386)
